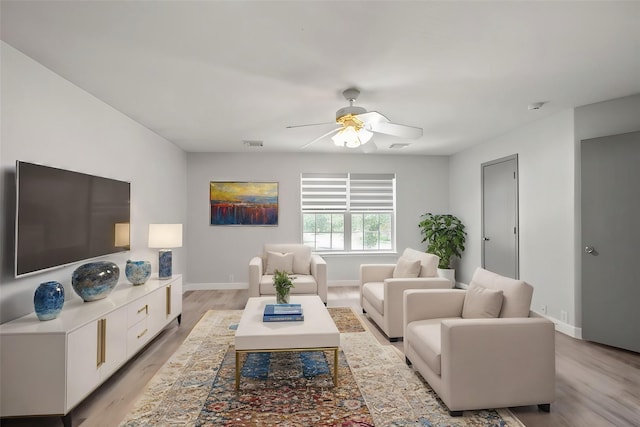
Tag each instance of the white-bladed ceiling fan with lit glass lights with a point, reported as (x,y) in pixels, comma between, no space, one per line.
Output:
(357,126)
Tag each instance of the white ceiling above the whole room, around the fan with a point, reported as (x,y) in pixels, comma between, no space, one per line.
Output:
(209,74)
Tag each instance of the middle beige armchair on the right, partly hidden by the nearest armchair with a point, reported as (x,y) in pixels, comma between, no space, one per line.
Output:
(382,287)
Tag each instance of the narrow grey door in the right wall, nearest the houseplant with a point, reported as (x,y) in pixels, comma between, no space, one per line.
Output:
(500,216)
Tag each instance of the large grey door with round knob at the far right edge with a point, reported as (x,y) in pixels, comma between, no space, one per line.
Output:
(610,235)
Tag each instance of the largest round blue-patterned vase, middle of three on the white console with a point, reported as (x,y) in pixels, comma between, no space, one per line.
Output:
(95,280)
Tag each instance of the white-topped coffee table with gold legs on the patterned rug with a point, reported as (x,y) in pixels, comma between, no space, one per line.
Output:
(316,332)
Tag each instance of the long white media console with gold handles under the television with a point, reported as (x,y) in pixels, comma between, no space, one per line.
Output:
(48,367)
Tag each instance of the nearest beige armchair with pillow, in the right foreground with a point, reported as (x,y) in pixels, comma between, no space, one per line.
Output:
(480,348)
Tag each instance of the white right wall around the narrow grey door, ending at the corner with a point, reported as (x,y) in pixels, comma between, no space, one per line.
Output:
(546,215)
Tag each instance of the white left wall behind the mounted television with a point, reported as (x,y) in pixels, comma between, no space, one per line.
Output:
(47,120)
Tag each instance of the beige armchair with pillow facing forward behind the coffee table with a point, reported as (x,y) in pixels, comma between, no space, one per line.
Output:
(309,270)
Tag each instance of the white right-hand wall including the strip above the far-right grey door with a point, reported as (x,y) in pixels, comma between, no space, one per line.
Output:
(549,165)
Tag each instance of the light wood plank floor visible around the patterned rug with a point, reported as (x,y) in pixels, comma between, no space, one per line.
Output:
(596,385)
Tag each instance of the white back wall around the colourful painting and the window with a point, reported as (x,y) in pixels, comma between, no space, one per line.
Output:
(220,254)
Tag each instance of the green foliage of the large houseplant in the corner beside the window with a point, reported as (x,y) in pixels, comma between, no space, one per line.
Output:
(445,236)
